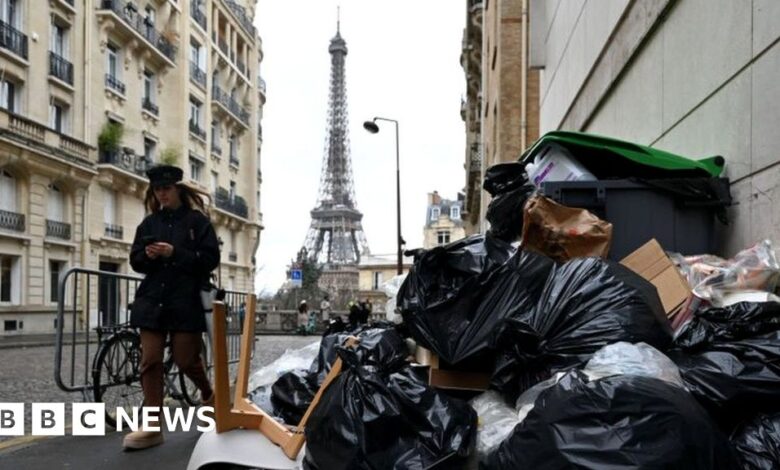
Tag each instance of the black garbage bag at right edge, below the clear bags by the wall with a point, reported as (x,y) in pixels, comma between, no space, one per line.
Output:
(729,359)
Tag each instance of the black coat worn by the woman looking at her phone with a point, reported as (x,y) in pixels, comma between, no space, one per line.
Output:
(168,298)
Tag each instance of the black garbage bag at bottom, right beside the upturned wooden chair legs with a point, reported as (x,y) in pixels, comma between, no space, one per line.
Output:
(381,414)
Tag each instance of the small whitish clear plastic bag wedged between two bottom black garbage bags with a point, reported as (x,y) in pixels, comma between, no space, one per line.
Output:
(496,421)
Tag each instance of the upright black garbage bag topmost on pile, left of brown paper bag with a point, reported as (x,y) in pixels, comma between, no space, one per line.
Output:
(510,188)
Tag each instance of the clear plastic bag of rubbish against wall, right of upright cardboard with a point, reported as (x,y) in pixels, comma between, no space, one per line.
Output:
(713,278)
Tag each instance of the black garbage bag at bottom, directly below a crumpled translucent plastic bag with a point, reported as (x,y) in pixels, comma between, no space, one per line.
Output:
(618,422)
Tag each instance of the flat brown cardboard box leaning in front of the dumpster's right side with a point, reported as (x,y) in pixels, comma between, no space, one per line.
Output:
(650,262)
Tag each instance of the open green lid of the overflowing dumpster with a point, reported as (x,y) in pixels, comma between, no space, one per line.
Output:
(643,155)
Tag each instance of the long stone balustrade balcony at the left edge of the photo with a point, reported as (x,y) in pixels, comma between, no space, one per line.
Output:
(42,139)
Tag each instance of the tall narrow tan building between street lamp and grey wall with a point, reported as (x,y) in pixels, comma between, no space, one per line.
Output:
(501,107)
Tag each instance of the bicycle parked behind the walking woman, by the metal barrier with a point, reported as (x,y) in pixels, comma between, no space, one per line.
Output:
(117,378)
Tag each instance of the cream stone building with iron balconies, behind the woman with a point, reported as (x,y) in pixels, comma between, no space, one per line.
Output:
(92,93)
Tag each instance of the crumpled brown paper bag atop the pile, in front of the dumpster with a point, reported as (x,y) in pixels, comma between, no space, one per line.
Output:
(562,232)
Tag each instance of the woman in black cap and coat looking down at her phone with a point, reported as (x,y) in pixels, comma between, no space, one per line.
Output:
(176,247)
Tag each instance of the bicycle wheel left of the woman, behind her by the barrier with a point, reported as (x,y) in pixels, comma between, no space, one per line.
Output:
(117,375)
